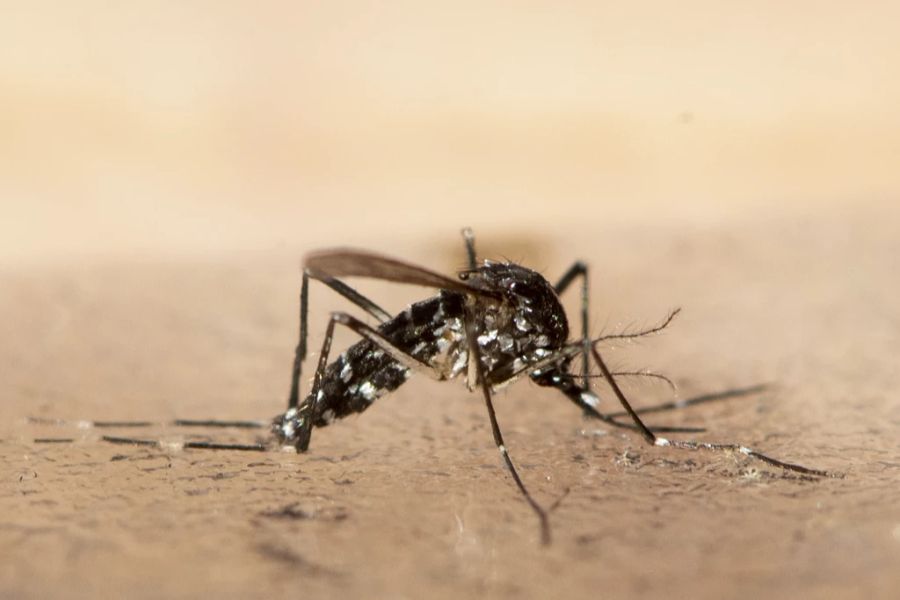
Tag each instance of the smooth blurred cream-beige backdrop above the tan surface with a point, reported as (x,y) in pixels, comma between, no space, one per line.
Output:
(143,128)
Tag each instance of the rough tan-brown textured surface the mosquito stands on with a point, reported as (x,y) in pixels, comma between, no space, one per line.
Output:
(410,498)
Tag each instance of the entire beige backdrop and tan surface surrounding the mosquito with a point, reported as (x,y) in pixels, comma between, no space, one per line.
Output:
(163,167)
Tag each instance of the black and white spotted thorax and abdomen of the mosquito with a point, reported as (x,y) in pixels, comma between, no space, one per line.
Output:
(523,325)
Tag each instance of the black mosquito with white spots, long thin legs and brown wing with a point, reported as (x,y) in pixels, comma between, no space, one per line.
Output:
(493,324)
